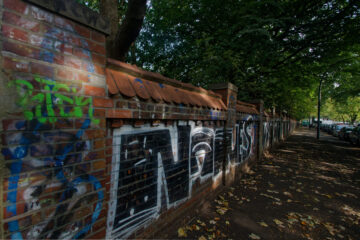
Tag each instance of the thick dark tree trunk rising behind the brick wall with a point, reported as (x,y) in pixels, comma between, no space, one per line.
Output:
(125,19)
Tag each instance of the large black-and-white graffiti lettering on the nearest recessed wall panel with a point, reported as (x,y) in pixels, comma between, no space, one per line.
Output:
(155,168)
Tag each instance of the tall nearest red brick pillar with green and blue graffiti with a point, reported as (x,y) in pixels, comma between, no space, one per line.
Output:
(53,127)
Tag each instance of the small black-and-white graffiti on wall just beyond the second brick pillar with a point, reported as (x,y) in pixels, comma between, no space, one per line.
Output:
(246,139)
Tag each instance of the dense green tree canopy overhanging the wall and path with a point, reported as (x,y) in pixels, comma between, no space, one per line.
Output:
(271,50)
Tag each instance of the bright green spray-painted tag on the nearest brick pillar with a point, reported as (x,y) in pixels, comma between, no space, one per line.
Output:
(51,100)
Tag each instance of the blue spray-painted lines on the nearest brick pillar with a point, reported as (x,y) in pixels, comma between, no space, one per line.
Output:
(19,153)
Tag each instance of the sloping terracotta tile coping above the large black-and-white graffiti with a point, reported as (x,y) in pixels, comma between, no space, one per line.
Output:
(131,81)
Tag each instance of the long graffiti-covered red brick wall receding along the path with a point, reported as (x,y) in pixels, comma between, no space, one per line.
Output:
(94,148)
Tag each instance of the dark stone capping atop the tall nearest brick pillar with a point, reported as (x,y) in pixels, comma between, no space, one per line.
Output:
(77,12)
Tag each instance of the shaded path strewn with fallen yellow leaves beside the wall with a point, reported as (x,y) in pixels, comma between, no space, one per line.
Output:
(305,189)
